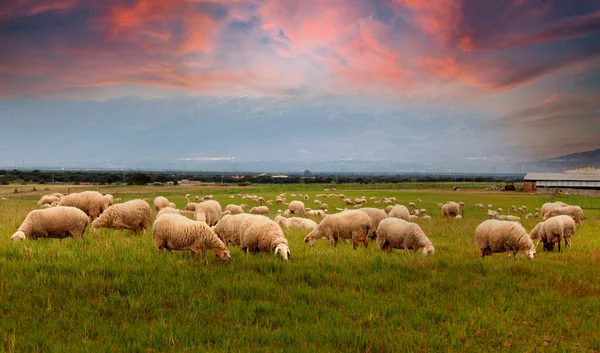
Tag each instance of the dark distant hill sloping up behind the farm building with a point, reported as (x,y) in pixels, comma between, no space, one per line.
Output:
(571,161)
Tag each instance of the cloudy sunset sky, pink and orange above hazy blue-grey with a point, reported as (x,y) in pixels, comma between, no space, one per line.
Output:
(373,83)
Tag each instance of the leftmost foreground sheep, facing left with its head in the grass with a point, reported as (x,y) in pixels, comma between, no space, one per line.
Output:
(55,222)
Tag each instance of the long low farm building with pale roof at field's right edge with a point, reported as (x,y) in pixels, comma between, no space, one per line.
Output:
(569,183)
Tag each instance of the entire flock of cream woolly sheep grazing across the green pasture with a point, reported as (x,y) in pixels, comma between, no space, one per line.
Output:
(213,228)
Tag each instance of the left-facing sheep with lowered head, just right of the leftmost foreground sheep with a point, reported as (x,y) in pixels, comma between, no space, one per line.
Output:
(134,214)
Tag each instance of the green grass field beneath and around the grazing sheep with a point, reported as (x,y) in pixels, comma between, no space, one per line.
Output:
(111,291)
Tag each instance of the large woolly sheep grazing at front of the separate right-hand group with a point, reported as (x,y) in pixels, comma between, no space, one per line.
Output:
(494,236)
